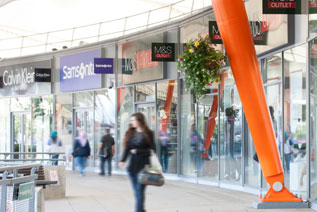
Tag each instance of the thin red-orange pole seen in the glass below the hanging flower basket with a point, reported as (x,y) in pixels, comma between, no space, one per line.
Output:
(211,120)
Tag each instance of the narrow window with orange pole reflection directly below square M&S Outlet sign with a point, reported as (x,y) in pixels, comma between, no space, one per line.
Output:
(167,125)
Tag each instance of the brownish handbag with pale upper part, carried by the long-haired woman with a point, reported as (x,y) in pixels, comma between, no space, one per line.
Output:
(152,174)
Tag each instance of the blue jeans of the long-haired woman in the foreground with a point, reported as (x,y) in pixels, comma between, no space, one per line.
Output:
(139,190)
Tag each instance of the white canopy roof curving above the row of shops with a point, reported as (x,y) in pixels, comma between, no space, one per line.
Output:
(42,25)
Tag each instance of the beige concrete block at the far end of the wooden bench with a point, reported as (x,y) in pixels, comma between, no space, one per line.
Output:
(59,190)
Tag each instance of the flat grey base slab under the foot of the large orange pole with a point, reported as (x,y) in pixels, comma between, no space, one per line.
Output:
(279,205)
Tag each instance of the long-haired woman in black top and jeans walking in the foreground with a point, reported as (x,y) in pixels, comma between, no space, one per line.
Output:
(138,142)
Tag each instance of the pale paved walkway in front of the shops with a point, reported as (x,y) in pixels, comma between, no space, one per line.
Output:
(94,193)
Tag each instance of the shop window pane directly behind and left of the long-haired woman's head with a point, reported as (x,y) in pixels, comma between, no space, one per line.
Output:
(125,110)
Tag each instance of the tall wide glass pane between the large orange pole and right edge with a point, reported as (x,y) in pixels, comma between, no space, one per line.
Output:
(295,120)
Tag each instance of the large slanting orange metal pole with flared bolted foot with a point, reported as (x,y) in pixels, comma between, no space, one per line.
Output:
(234,28)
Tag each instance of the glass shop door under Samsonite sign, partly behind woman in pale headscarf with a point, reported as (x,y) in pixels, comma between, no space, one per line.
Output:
(84,121)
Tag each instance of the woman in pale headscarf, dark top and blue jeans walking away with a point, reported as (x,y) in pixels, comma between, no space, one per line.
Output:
(82,151)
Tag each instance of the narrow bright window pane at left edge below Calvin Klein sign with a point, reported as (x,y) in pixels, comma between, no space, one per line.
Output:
(5,125)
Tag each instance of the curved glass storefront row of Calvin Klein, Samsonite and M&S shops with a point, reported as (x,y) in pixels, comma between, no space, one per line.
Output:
(286,51)
